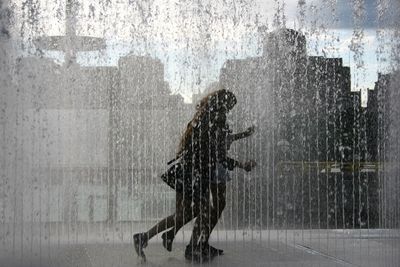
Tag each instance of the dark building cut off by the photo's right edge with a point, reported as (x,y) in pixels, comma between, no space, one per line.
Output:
(382,121)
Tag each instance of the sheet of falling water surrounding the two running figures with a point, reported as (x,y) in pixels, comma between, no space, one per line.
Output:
(95,96)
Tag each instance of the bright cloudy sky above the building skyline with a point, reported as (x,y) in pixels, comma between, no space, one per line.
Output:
(194,39)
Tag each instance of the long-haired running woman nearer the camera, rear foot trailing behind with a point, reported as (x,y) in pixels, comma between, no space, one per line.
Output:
(202,148)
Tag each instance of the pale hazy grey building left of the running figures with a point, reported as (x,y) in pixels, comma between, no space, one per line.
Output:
(101,137)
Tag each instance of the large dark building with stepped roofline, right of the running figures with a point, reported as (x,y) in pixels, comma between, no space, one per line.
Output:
(314,137)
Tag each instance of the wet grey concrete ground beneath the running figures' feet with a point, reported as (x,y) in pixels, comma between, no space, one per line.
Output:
(242,248)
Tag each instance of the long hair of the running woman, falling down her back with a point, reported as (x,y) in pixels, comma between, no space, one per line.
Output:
(221,100)
